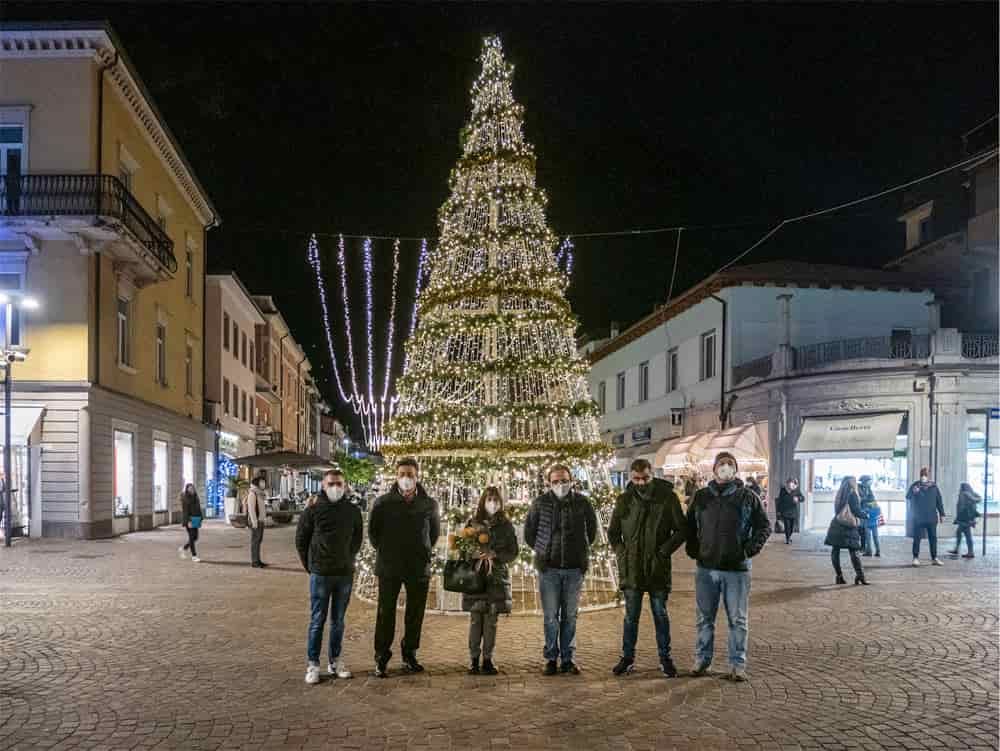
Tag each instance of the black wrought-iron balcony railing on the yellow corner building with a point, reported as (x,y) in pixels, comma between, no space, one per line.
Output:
(86,195)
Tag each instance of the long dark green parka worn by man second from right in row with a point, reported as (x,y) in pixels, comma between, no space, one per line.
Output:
(644,534)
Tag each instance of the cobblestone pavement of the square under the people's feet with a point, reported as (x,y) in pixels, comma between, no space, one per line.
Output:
(118,644)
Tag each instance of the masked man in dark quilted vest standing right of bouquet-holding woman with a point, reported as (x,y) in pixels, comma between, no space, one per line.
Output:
(560,527)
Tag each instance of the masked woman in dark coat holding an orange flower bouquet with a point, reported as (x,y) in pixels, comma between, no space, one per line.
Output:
(490,522)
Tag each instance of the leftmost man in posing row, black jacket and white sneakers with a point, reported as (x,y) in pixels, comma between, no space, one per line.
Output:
(328,540)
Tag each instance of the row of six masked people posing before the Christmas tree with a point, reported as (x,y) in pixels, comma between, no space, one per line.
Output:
(724,527)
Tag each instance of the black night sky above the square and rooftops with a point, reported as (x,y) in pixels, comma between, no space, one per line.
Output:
(345,118)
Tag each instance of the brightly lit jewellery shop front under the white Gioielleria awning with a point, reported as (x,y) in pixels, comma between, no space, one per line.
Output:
(833,447)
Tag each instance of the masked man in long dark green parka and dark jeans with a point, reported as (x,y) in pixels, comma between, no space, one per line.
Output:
(647,528)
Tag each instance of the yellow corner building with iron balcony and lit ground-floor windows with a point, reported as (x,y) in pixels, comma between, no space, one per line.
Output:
(103,220)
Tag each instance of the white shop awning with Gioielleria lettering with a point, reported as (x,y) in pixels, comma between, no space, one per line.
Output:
(854,437)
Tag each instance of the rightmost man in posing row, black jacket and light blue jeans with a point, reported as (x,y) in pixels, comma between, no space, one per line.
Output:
(727,526)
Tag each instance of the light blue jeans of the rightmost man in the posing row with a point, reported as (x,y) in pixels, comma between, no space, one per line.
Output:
(733,587)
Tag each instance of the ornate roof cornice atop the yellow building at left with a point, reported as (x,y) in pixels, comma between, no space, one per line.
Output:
(99,43)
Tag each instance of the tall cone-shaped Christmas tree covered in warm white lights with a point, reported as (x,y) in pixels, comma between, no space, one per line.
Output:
(493,390)
